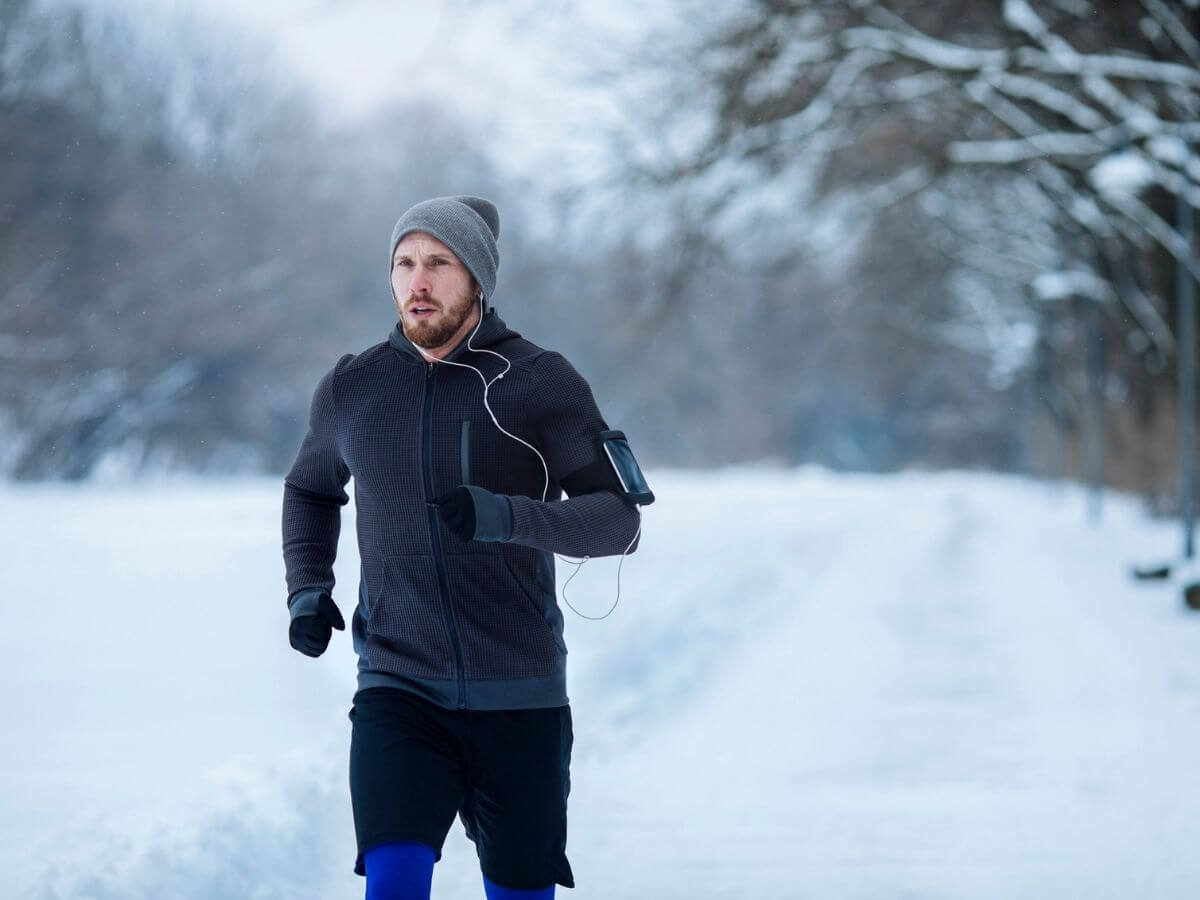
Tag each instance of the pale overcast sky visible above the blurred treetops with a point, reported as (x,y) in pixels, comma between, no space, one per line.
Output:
(521,73)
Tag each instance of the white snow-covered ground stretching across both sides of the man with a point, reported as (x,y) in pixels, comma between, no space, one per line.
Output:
(815,686)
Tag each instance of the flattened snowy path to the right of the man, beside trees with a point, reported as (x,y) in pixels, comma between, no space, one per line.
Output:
(964,701)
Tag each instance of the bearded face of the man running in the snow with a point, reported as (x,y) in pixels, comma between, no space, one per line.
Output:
(434,291)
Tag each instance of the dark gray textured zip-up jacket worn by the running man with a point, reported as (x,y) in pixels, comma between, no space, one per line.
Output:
(467,625)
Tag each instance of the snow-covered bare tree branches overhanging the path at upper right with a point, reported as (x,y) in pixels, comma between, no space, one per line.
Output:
(1053,140)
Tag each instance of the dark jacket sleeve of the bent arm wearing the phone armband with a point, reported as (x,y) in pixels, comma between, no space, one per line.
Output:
(596,521)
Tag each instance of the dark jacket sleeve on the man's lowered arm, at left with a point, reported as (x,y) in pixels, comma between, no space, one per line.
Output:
(314,496)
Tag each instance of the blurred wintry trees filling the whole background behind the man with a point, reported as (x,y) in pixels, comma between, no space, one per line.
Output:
(866,235)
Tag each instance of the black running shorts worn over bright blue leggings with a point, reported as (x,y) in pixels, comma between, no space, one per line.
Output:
(506,773)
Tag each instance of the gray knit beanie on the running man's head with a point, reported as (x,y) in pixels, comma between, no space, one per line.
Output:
(470,226)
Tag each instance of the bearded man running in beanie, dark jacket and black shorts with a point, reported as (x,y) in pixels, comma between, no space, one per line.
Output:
(463,439)
